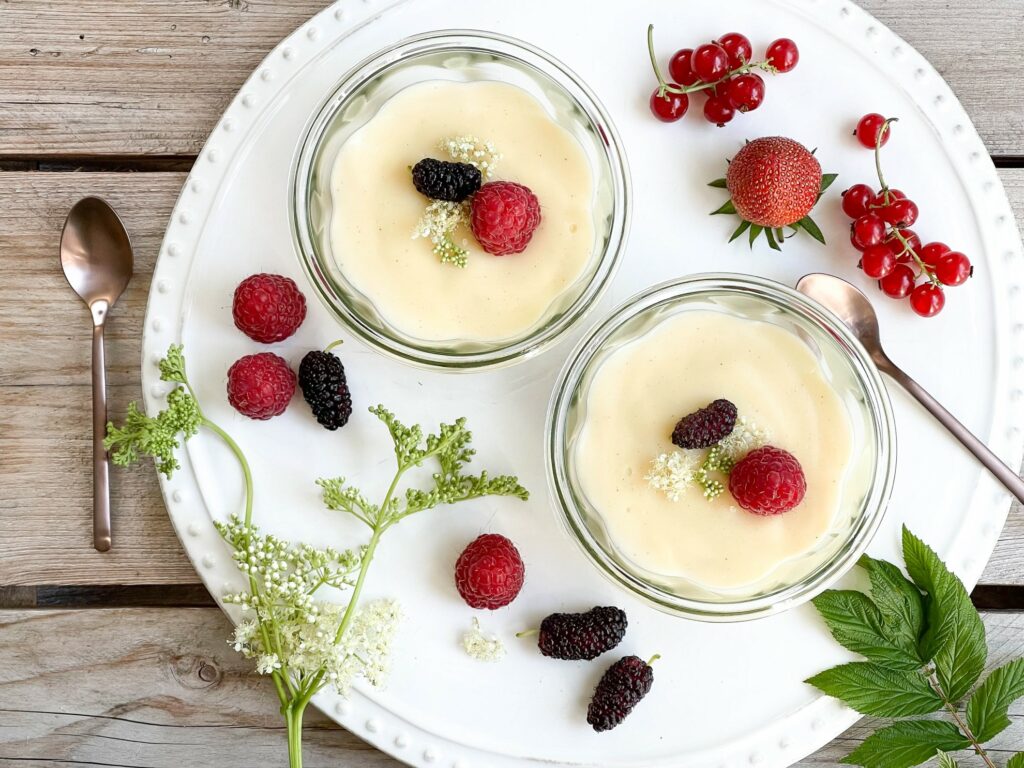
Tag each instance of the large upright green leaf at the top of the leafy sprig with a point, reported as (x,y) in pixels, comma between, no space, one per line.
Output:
(956,637)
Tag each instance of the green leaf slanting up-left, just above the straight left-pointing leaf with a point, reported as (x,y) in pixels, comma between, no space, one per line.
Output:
(858,625)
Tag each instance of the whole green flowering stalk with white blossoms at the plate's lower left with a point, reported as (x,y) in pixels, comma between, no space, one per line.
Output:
(304,644)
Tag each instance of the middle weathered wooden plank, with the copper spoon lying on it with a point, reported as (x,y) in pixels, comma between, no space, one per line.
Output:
(46,484)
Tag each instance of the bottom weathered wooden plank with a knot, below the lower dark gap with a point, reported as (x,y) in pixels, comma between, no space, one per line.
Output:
(172,693)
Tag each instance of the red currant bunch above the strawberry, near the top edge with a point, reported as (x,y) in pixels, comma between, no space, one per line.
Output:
(722,71)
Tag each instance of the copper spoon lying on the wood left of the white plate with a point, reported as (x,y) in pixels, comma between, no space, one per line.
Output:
(97,258)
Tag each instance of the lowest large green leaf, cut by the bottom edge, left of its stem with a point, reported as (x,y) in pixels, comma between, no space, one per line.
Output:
(907,744)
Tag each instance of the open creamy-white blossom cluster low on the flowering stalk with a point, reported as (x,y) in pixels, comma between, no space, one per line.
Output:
(307,644)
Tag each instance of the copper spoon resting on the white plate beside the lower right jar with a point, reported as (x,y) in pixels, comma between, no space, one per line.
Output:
(856,311)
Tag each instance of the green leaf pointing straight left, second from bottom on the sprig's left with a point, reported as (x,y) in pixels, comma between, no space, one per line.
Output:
(873,690)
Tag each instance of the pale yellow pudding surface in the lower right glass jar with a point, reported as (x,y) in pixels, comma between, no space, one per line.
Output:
(686,363)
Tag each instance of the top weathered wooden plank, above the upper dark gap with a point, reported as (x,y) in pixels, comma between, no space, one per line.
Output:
(122,77)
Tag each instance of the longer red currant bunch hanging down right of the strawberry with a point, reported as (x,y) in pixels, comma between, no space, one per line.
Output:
(891,252)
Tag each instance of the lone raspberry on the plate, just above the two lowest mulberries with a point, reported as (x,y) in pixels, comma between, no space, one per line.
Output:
(490,573)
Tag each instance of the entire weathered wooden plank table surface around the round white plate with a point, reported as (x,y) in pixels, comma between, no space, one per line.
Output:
(119,659)
